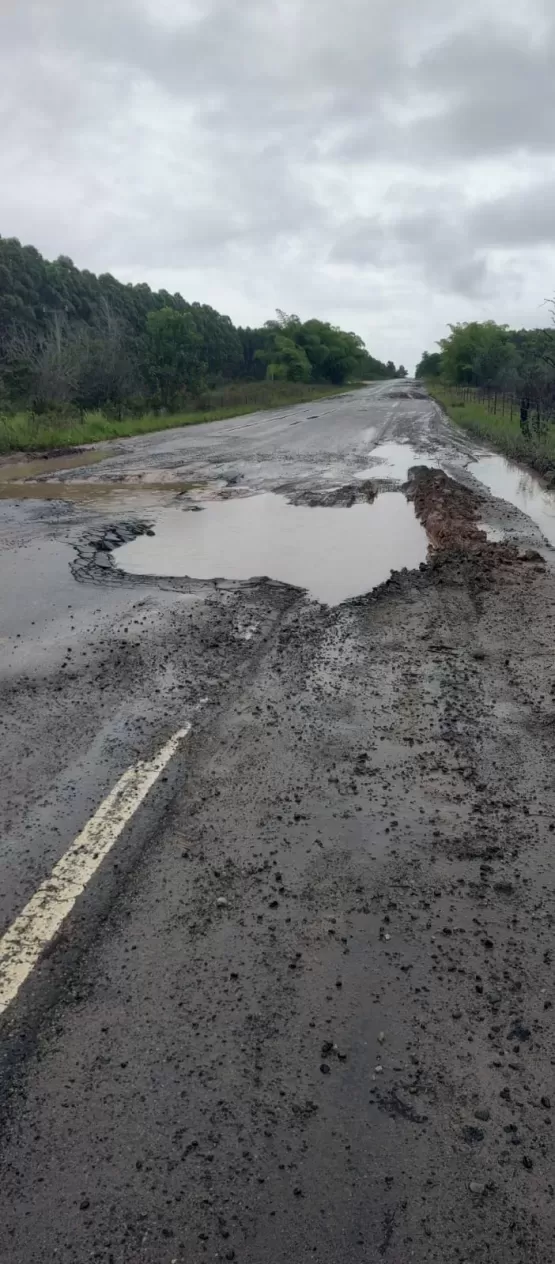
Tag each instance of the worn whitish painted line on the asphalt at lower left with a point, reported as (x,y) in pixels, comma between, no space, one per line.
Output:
(31,933)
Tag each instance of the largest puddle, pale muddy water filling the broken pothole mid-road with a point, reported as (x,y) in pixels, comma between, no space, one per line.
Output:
(334,554)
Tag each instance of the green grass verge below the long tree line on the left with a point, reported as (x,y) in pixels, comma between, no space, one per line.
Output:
(23,433)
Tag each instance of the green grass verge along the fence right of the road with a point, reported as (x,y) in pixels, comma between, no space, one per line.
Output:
(501,432)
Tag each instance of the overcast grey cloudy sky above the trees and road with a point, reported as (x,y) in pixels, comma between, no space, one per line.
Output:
(384,165)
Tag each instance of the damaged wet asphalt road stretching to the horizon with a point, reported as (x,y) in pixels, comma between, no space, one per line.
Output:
(295,1000)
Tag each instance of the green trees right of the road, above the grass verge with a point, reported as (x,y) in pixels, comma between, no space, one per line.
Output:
(500,361)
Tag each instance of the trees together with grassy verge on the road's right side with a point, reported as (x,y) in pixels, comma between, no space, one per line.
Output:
(500,385)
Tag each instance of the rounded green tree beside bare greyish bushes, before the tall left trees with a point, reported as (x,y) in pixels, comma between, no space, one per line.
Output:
(174,356)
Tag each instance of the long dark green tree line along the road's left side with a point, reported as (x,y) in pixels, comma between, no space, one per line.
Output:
(73,341)
